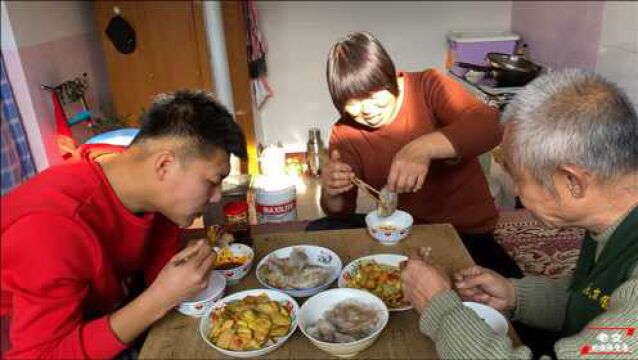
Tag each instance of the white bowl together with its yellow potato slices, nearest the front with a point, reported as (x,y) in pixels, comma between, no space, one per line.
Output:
(250,323)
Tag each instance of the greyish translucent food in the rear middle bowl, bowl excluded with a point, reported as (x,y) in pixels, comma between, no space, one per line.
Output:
(294,272)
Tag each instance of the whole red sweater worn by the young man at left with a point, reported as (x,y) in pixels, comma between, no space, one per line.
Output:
(68,247)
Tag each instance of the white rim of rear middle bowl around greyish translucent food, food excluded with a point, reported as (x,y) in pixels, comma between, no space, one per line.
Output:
(317,255)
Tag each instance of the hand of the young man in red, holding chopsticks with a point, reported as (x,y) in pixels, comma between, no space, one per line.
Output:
(184,275)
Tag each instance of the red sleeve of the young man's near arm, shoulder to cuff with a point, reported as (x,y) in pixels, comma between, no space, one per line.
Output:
(48,262)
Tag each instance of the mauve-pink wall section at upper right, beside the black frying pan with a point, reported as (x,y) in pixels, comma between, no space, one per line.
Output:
(560,33)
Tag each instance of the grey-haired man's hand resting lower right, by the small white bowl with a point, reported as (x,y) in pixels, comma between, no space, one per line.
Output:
(485,286)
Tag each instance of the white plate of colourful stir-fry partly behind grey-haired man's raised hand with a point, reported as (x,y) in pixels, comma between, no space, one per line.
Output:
(380,275)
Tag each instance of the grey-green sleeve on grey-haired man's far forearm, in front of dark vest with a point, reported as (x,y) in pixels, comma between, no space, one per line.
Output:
(541,302)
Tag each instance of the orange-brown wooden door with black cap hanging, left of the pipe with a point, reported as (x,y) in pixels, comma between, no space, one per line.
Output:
(171,52)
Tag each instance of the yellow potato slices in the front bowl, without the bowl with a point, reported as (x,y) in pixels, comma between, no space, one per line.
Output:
(252,323)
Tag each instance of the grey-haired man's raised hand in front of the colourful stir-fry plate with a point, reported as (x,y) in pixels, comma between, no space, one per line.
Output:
(421,281)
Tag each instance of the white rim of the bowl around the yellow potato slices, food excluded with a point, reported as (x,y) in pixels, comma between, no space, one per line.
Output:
(206,322)
